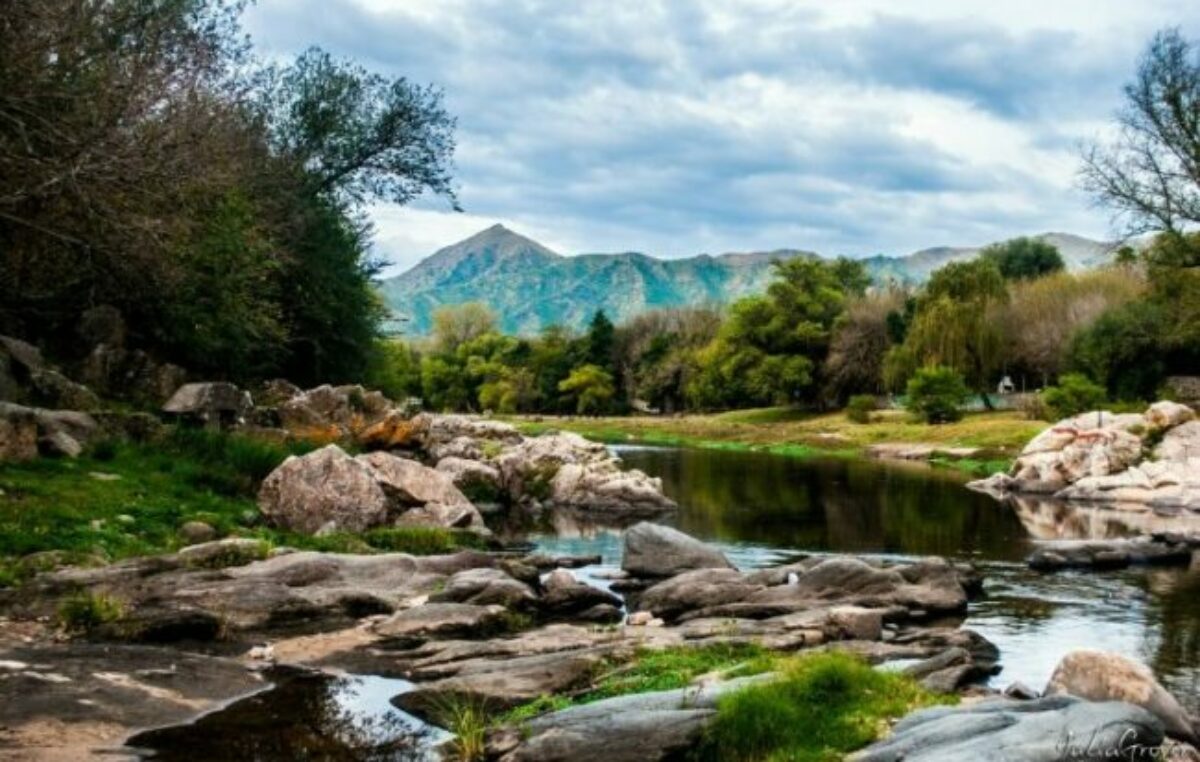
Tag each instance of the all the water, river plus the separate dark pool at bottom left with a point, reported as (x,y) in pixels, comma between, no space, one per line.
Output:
(760,509)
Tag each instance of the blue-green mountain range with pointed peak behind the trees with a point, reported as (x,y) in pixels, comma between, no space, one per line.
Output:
(531,287)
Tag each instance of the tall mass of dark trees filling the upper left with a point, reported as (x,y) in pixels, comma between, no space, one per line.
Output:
(151,165)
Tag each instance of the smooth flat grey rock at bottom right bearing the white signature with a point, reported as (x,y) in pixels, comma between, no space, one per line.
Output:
(1045,730)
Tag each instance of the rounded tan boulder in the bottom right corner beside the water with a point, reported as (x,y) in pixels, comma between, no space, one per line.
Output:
(1103,676)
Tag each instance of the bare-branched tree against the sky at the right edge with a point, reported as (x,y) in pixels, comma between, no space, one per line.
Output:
(1150,175)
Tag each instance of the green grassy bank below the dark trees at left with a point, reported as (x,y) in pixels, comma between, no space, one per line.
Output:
(123,500)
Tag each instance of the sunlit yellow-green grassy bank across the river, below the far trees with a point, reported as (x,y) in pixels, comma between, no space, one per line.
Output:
(787,431)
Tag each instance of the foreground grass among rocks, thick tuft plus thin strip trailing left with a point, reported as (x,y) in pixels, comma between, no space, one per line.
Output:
(821,706)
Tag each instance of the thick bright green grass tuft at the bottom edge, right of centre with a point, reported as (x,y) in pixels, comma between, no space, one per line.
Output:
(823,707)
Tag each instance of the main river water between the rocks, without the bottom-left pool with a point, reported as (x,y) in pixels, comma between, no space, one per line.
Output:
(761,507)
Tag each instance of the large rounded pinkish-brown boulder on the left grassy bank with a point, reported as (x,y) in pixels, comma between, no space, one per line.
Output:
(323,490)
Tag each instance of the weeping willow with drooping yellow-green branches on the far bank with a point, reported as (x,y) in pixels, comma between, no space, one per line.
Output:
(956,326)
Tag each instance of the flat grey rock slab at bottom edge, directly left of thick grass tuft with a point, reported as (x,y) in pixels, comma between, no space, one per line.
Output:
(640,728)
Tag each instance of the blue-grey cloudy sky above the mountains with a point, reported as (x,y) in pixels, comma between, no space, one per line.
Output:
(675,128)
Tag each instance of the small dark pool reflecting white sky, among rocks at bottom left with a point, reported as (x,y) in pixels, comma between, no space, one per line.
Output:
(305,717)
